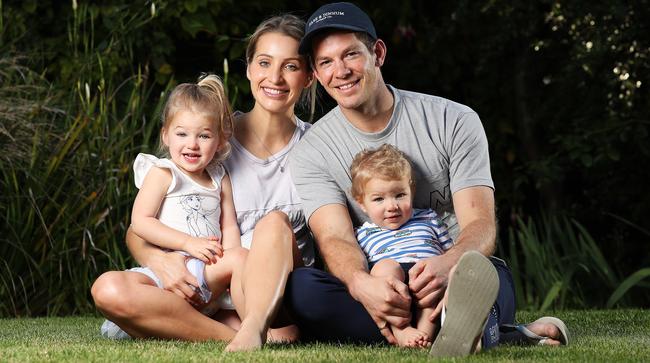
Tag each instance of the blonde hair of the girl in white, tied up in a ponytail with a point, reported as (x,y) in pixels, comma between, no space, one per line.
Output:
(207,97)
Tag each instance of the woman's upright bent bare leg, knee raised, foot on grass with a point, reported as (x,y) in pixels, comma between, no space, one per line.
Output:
(267,268)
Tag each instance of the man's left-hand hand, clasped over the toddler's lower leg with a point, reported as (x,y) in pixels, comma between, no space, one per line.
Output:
(386,299)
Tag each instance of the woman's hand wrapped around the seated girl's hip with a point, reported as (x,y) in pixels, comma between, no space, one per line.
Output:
(172,272)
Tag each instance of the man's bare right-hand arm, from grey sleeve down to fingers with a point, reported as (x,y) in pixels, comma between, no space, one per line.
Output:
(474,209)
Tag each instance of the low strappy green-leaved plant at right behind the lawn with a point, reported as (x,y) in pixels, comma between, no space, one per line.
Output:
(557,264)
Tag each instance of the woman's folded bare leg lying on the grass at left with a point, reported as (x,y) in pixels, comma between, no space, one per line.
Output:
(132,301)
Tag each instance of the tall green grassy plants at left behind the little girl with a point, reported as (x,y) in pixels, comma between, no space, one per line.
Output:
(67,196)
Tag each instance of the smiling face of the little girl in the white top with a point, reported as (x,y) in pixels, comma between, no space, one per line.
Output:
(193,140)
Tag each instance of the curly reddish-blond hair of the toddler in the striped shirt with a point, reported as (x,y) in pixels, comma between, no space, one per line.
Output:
(386,162)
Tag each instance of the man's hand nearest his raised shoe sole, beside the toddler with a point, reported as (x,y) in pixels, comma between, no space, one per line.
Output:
(428,279)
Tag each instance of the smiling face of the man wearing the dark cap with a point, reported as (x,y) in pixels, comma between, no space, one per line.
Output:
(346,69)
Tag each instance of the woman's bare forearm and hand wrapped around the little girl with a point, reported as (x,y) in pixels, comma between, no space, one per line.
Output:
(168,266)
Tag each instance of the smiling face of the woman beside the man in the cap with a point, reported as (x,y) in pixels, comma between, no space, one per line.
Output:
(277,73)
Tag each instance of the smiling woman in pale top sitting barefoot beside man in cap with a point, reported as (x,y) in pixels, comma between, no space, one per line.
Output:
(268,212)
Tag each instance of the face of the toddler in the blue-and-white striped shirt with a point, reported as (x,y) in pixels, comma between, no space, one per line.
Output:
(388,203)
